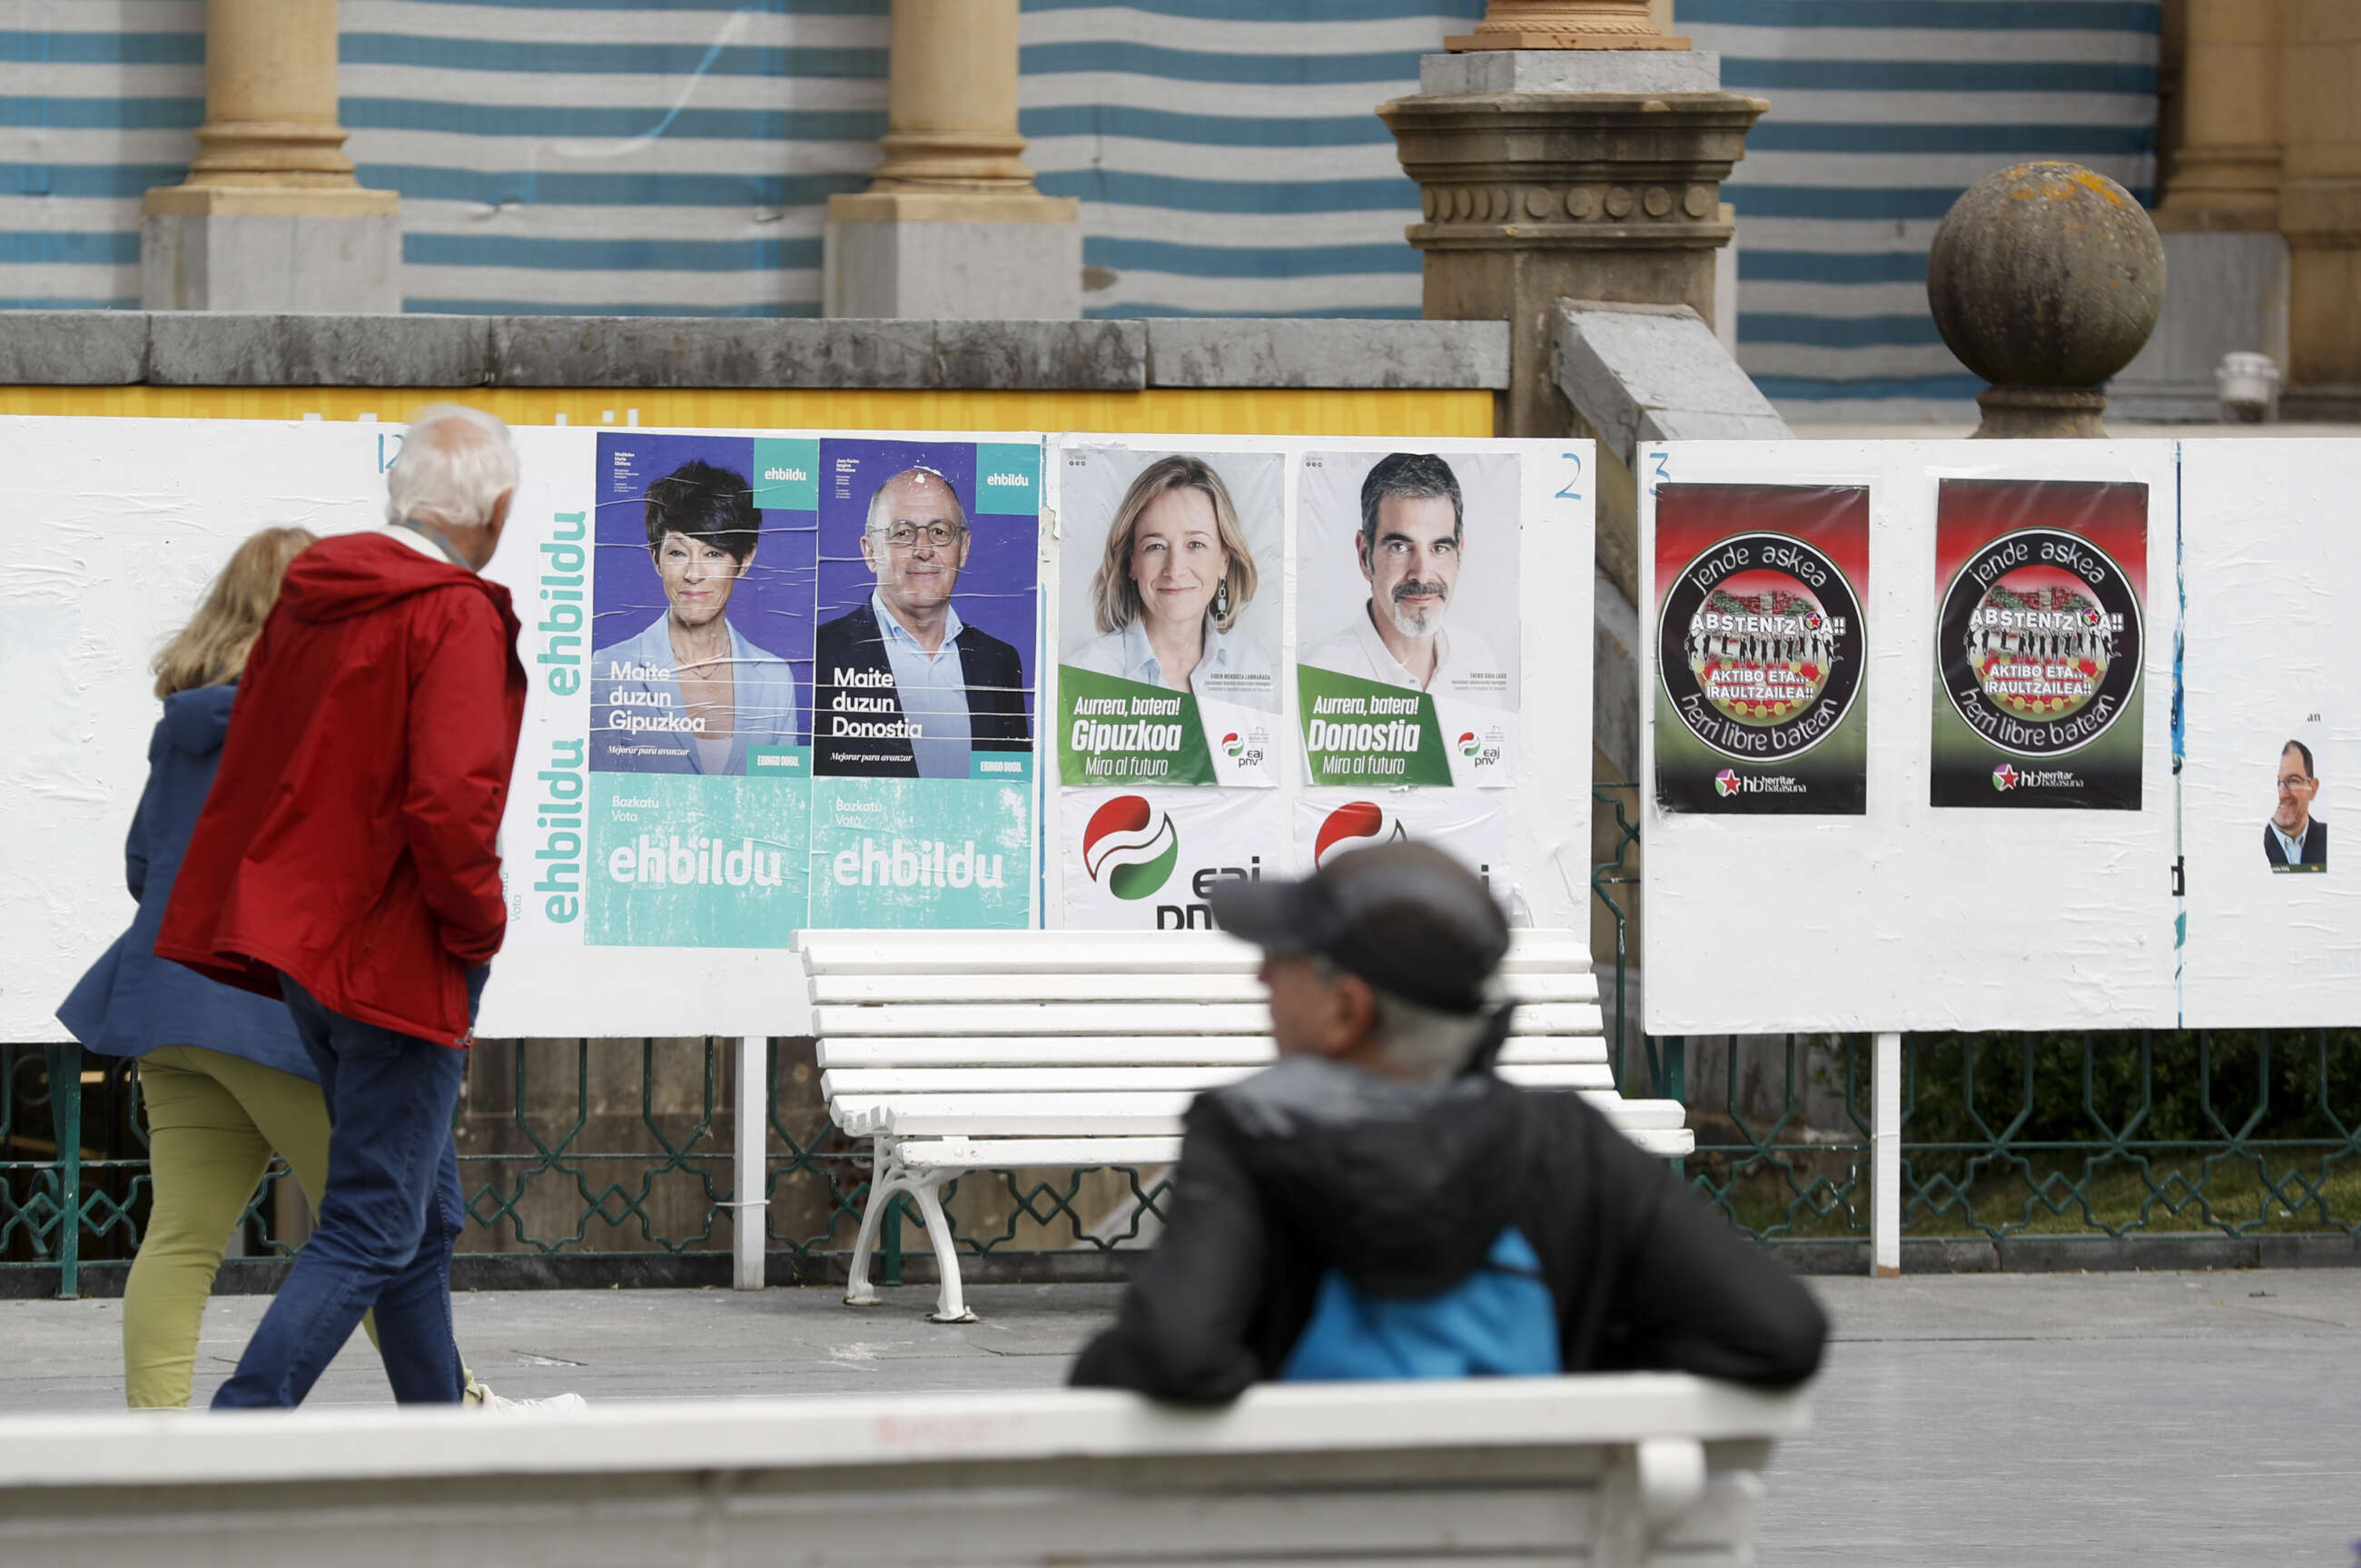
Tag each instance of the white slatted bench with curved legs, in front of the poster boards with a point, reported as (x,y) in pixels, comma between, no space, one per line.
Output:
(988,1050)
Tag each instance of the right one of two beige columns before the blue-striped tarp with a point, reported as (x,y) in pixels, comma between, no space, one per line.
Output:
(953,223)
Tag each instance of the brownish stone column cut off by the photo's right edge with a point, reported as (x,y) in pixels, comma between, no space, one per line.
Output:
(2320,207)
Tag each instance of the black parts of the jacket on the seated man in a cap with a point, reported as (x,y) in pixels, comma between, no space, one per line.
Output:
(1404,1187)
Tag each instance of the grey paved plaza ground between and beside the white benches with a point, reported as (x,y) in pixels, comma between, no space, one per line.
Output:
(2025,1420)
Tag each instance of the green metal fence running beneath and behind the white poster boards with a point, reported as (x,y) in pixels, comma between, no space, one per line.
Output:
(622,1149)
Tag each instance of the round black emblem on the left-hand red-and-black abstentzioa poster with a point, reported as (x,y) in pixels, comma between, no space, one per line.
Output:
(1760,648)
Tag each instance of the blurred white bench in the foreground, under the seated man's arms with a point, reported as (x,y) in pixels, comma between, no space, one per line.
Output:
(1618,1472)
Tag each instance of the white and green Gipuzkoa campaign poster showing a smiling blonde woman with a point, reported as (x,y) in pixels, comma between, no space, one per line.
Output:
(1170,601)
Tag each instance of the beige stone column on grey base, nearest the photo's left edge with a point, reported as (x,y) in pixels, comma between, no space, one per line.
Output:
(270,216)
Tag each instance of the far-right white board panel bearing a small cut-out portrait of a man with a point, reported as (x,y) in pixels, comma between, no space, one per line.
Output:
(2272,733)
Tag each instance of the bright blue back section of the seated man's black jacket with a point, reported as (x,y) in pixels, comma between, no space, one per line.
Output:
(1496,1324)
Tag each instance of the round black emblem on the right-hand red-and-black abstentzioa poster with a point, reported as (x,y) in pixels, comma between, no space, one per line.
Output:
(2039,643)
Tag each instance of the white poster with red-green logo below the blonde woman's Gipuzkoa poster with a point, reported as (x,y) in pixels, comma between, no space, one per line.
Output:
(1149,858)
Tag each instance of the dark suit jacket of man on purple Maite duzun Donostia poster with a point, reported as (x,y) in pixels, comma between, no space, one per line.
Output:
(990,669)
